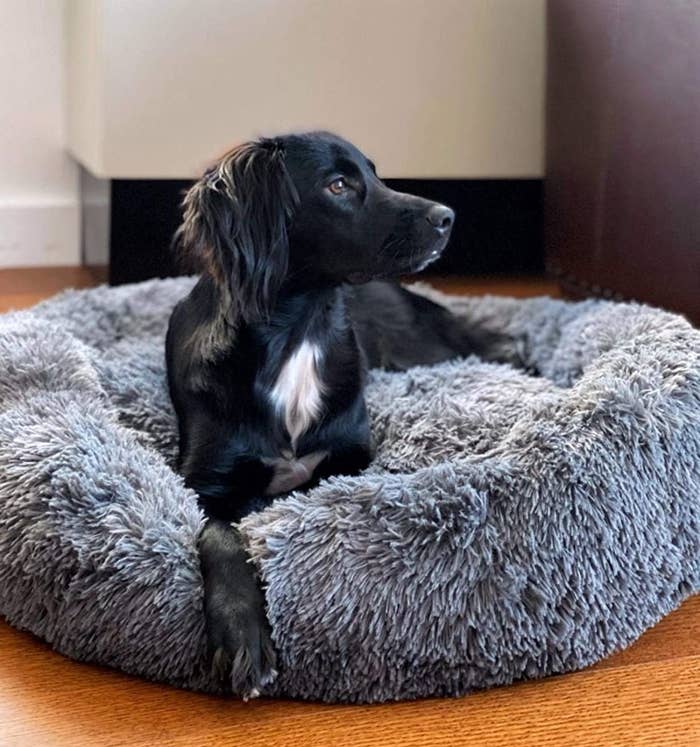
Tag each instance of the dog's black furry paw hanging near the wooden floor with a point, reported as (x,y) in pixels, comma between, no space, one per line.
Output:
(240,647)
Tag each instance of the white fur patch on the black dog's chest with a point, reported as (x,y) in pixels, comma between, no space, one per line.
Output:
(298,391)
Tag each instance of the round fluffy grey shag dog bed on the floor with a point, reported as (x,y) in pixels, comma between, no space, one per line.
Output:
(518,520)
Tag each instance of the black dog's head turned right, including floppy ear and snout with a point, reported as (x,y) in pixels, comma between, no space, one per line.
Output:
(304,211)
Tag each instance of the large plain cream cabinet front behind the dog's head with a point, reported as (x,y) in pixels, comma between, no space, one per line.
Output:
(429,88)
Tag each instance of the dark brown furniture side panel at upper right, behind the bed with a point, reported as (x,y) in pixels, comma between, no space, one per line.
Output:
(622,187)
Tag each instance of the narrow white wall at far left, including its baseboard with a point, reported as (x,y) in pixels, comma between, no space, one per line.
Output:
(39,210)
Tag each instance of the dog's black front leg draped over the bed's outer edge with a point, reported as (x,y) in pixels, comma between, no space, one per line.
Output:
(234,606)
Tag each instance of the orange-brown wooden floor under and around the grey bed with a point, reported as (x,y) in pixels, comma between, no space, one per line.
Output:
(646,695)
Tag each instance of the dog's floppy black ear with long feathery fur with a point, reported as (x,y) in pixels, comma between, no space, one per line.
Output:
(234,226)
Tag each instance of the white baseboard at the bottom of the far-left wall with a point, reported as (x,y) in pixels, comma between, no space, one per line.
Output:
(42,233)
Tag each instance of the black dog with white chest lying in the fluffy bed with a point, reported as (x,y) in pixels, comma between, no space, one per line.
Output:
(266,356)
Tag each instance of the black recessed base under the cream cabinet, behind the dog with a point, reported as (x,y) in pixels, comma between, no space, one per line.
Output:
(498,228)
